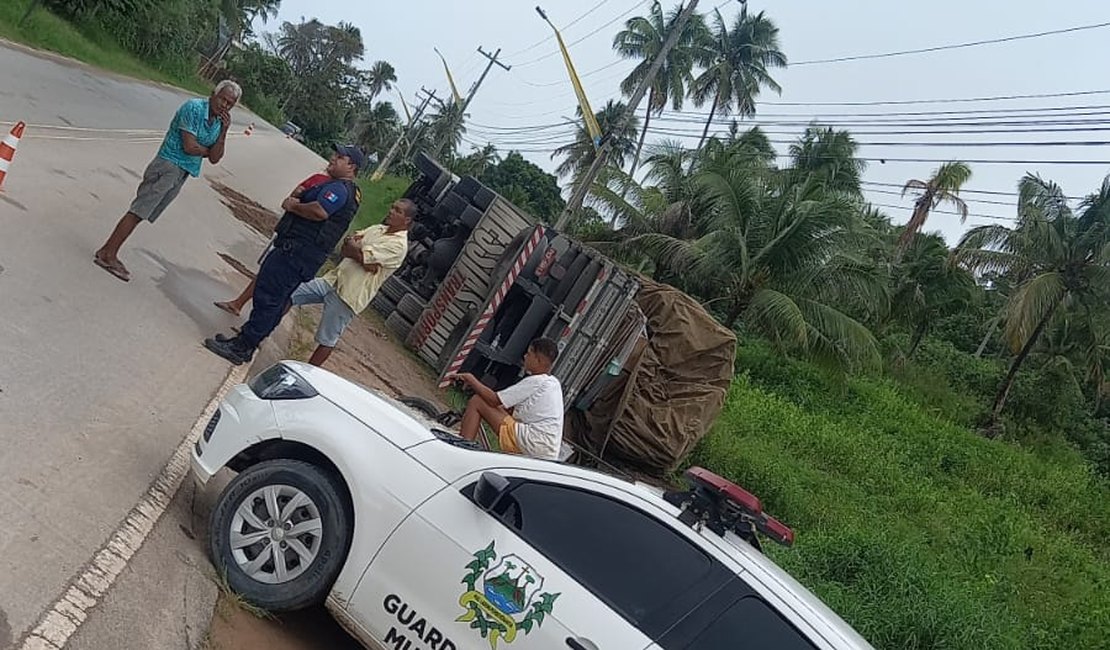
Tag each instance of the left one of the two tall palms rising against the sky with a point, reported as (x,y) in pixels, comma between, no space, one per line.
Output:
(643,39)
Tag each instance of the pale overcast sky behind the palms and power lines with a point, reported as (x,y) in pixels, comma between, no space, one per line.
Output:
(537,92)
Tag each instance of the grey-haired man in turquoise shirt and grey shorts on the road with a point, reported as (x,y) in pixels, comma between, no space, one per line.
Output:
(198,131)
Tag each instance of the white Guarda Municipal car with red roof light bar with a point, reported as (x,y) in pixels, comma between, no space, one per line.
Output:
(417,541)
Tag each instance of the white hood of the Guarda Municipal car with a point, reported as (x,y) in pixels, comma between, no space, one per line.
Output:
(392,420)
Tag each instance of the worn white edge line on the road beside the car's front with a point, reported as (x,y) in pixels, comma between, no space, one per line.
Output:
(64,618)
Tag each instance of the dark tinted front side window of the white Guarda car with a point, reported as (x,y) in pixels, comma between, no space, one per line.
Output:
(637,564)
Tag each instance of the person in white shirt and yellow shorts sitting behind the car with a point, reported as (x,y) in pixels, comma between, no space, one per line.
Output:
(528,415)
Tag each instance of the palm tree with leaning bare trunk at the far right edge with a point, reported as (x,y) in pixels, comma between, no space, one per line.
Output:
(1064,260)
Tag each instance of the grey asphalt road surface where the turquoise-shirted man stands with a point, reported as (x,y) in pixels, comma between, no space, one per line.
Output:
(100,380)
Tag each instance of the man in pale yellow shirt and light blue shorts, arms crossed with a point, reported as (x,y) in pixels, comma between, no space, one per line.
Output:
(370,257)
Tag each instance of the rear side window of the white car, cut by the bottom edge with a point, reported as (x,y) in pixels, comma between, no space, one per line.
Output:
(751,624)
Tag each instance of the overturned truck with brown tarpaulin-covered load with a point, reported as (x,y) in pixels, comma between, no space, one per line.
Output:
(483,279)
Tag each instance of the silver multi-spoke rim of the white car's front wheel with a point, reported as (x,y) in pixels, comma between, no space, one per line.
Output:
(276,534)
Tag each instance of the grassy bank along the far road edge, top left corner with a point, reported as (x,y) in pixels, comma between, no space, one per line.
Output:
(46,32)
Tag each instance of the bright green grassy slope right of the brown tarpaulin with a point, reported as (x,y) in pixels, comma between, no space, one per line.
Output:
(919,532)
